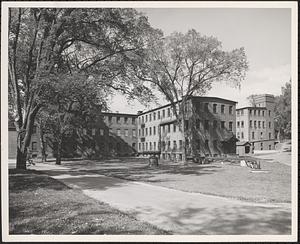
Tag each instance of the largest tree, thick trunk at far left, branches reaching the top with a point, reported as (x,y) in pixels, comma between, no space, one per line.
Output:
(46,43)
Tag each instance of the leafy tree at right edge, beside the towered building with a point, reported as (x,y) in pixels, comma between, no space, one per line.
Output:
(283,112)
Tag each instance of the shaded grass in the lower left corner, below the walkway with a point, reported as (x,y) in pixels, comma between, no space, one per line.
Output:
(39,204)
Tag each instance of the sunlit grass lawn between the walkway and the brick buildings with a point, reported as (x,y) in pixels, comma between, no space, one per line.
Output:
(228,180)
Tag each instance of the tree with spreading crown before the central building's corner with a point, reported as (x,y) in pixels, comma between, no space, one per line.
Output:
(183,65)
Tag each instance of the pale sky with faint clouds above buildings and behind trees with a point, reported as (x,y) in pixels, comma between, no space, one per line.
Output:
(264,33)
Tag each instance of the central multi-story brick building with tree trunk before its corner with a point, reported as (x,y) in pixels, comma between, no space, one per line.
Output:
(209,125)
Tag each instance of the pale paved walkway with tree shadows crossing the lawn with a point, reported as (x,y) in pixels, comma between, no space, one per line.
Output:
(177,211)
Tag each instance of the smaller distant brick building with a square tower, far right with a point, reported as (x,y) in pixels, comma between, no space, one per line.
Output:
(255,124)
